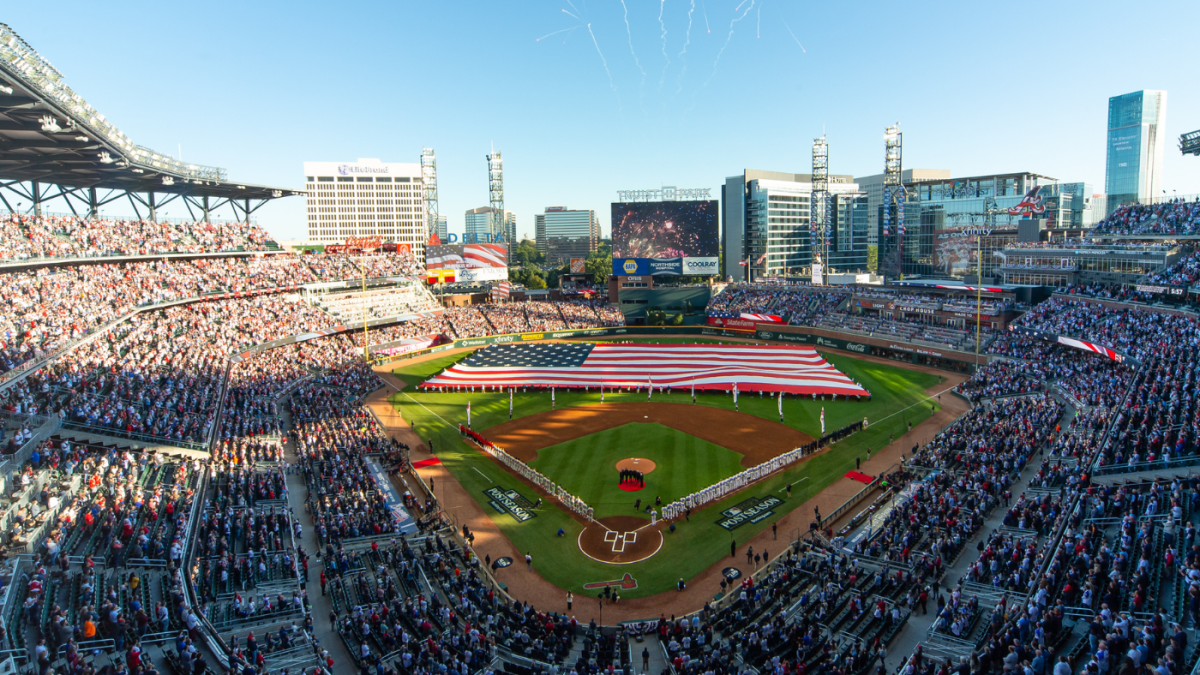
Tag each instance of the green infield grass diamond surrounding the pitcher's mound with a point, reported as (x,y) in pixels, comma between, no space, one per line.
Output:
(685,465)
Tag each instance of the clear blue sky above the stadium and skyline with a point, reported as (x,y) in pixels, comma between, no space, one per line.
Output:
(260,88)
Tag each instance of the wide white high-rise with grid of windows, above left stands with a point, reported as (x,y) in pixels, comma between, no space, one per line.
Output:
(367,199)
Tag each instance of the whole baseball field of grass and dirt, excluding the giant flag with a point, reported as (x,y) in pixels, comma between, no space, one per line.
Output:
(579,443)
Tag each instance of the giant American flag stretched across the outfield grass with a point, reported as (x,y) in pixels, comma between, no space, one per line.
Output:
(748,368)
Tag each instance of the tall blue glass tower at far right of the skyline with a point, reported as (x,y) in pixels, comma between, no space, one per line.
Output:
(1137,141)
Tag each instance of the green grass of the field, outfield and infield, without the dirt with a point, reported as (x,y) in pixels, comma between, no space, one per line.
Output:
(898,399)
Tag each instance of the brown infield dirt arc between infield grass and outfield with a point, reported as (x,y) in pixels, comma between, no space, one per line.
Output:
(755,439)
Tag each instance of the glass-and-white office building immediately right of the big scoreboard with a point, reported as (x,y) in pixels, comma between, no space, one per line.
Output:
(766,222)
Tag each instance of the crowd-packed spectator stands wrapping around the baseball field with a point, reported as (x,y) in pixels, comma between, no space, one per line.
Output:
(200,467)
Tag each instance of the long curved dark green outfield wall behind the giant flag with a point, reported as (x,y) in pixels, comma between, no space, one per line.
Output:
(945,360)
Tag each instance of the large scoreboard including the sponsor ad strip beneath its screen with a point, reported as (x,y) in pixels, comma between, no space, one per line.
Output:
(667,237)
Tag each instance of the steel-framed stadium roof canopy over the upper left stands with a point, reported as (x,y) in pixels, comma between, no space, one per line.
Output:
(50,135)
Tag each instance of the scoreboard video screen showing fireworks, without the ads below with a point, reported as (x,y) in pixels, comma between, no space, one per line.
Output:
(665,230)
